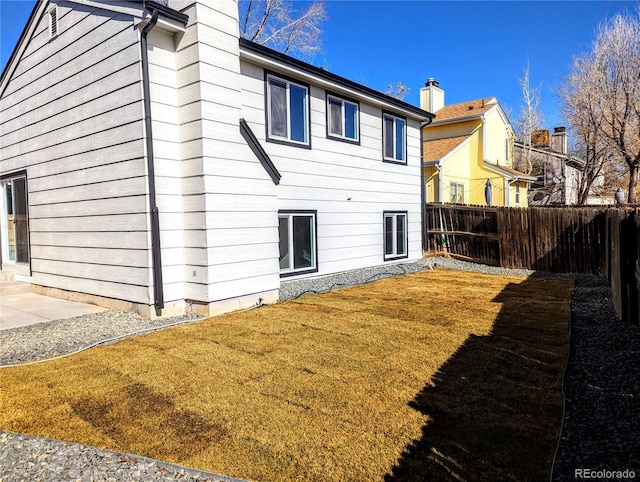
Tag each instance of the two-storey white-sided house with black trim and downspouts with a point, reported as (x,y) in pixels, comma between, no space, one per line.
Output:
(150,160)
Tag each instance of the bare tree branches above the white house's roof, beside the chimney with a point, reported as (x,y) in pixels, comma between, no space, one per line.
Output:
(280,26)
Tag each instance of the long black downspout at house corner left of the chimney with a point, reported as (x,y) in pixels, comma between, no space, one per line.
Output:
(158,289)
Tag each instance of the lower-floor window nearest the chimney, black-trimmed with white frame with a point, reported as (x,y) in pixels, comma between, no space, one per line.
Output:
(297,234)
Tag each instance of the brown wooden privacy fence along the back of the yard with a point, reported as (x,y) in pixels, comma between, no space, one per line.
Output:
(586,240)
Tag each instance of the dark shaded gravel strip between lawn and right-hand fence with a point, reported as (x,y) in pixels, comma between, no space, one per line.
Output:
(601,428)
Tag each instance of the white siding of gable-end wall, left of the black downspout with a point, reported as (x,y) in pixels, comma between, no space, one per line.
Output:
(72,117)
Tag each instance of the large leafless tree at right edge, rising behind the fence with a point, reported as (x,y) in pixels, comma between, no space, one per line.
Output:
(602,94)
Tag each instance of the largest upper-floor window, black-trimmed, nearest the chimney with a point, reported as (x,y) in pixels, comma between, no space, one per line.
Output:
(287,111)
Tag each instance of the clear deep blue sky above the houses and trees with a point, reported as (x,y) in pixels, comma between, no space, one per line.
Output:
(474,49)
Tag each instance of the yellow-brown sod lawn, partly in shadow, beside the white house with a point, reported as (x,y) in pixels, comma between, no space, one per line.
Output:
(438,375)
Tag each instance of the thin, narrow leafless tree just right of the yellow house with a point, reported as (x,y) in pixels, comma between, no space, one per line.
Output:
(530,118)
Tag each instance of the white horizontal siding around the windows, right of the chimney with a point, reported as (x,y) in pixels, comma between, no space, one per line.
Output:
(350,232)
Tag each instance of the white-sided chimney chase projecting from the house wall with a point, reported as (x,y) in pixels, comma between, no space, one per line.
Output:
(230,207)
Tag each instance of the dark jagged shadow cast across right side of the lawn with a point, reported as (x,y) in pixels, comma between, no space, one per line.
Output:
(495,407)
